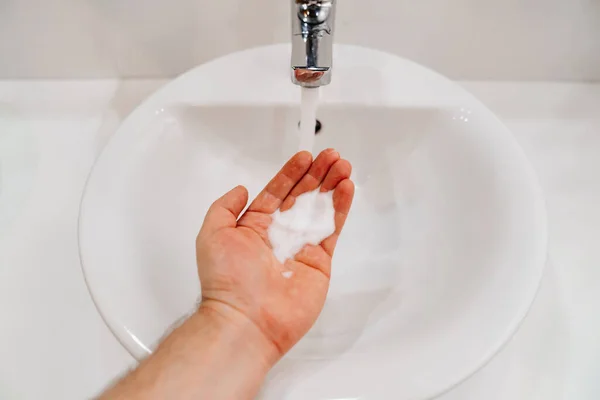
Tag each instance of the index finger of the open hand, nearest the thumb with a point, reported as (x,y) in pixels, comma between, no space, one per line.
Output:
(276,191)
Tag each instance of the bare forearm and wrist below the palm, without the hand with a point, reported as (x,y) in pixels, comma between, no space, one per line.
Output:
(213,355)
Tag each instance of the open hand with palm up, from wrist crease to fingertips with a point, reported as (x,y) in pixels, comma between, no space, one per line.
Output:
(240,277)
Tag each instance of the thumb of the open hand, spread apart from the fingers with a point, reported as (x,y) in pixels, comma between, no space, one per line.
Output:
(224,212)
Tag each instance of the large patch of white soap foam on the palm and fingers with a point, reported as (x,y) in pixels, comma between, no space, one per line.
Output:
(309,221)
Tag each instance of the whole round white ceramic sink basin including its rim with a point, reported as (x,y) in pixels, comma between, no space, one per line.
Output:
(443,250)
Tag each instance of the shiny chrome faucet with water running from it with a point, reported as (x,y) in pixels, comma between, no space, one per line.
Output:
(312,41)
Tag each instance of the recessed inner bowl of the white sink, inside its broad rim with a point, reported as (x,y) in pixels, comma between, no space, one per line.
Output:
(419,210)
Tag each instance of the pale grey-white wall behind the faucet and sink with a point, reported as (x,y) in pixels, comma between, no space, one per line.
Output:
(465,39)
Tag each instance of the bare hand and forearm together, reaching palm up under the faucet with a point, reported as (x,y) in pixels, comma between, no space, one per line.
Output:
(250,314)
